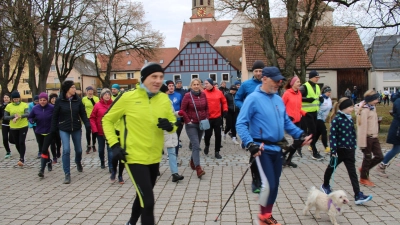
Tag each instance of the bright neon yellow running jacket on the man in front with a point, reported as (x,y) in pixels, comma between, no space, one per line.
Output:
(139,134)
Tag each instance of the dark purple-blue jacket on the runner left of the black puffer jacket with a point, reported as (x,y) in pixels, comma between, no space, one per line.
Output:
(42,117)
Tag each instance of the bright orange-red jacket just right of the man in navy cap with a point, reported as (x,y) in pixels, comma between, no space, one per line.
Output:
(292,101)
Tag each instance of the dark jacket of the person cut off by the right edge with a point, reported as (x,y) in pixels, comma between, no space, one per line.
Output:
(394,130)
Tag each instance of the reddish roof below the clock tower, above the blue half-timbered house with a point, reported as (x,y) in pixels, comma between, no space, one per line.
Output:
(211,31)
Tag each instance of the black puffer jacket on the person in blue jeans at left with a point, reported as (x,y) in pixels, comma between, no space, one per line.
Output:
(69,114)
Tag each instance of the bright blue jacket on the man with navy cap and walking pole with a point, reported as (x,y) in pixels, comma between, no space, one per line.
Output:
(263,116)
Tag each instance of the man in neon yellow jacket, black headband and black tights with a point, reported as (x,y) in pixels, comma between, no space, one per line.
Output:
(145,113)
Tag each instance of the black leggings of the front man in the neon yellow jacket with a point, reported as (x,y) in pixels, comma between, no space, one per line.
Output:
(144,177)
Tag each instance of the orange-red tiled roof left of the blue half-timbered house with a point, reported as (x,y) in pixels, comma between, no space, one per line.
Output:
(120,62)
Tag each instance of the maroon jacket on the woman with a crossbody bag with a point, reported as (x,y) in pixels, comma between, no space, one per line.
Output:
(188,111)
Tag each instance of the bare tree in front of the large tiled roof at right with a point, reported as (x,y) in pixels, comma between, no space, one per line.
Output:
(296,32)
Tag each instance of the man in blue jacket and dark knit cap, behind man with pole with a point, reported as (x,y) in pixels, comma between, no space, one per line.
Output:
(245,89)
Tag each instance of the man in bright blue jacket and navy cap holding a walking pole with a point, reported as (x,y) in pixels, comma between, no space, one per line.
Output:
(261,124)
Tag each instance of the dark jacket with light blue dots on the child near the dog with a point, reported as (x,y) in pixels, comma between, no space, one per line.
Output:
(342,133)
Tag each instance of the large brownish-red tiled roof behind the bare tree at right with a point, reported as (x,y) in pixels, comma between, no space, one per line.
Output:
(342,48)
